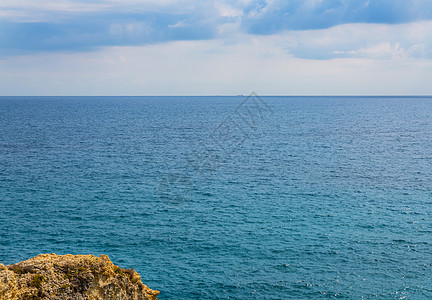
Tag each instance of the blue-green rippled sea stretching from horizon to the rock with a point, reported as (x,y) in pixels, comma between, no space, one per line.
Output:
(318,197)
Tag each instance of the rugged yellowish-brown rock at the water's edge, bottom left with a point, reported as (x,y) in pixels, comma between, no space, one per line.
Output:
(77,277)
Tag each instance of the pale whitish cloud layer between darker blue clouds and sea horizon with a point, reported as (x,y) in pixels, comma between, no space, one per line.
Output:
(345,59)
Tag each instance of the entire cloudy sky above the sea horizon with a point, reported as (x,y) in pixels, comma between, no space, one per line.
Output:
(206,47)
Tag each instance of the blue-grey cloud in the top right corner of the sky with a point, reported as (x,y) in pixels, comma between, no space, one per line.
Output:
(272,16)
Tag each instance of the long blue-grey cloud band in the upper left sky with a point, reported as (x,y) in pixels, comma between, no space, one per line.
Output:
(94,30)
